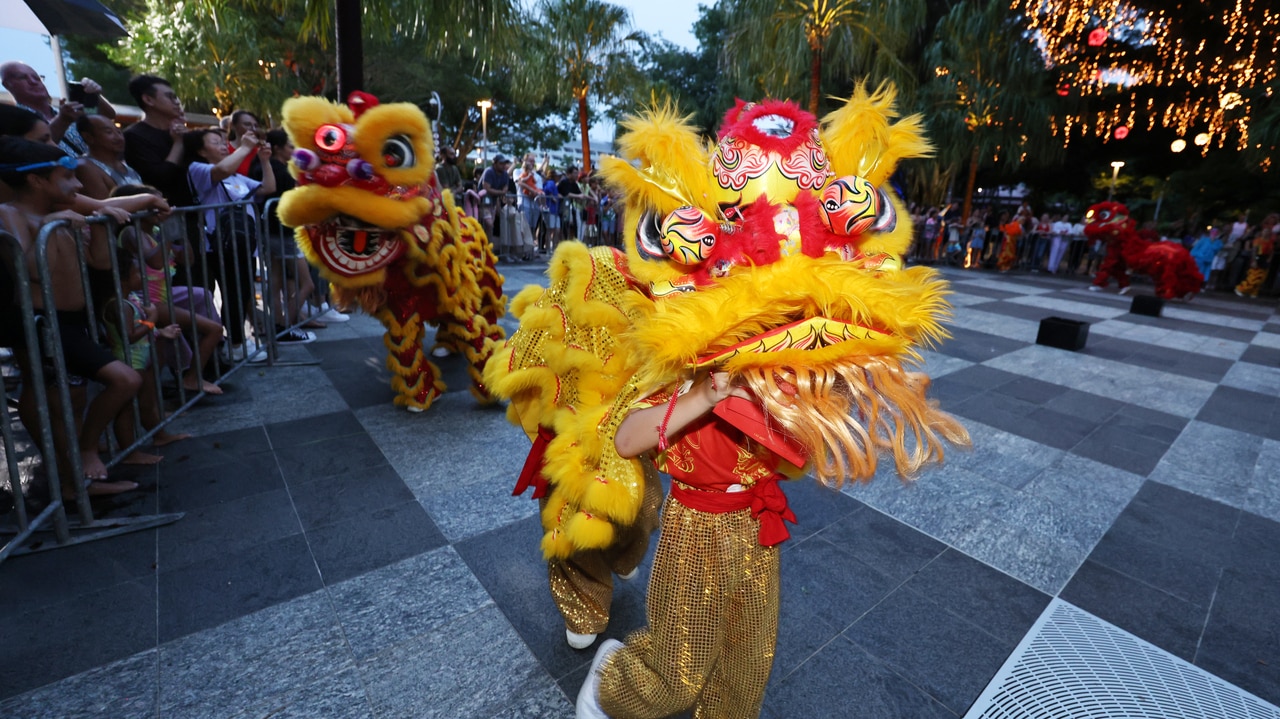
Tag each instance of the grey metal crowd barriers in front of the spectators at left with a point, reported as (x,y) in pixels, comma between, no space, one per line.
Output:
(191,268)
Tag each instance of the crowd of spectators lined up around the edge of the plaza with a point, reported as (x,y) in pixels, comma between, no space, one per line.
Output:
(166,260)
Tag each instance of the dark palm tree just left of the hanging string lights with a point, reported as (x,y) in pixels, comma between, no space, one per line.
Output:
(989,97)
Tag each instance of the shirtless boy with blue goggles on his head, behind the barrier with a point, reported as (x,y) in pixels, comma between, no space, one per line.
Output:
(44,185)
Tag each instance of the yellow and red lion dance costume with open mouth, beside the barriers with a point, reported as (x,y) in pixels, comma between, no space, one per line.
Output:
(371,217)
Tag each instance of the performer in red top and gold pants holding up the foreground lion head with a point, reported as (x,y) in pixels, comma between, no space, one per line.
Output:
(711,634)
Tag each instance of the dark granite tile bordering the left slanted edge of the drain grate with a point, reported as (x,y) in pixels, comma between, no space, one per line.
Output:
(936,651)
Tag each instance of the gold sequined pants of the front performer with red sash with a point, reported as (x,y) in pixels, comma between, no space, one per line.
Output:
(714,622)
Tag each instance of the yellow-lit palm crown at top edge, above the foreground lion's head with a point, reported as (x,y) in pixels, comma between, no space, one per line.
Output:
(776,44)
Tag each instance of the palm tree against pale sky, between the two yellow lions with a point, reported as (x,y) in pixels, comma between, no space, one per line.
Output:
(582,48)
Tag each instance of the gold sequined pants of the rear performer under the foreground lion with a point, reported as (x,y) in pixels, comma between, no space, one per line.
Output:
(583,585)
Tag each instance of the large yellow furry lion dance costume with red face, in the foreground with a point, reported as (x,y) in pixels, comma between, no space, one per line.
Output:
(772,255)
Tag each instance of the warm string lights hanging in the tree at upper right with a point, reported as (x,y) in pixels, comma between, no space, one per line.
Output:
(1192,67)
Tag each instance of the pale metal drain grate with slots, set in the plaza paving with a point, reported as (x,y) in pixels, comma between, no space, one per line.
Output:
(1075,666)
